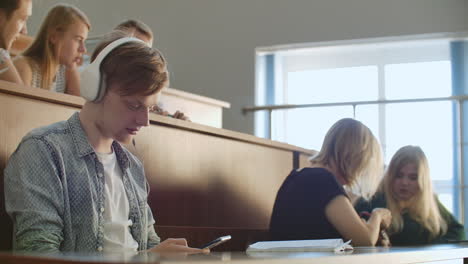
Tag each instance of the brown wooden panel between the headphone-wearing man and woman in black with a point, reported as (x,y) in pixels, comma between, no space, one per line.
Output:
(215,181)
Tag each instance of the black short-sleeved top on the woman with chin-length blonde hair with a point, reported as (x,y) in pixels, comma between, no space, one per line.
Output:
(299,210)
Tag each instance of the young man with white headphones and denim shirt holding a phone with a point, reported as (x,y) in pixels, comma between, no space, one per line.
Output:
(72,186)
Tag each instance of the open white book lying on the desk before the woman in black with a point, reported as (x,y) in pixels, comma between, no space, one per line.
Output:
(336,245)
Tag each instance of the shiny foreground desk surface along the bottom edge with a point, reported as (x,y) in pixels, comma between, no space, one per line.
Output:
(441,253)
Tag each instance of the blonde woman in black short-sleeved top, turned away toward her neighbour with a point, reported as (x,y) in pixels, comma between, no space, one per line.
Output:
(312,202)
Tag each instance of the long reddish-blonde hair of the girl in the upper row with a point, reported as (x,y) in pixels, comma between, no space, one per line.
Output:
(41,51)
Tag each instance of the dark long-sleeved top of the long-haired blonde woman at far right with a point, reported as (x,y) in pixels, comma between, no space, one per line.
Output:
(413,233)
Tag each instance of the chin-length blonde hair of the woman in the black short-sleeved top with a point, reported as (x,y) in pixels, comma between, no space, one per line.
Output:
(351,148)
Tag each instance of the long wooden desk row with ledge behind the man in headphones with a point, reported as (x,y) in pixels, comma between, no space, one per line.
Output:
(205,181)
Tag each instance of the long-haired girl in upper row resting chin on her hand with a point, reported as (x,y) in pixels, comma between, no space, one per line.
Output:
(52,60)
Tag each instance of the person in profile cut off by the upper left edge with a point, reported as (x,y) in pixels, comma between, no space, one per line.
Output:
(13,17)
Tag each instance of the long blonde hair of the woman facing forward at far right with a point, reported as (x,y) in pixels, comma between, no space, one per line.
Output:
(423,206)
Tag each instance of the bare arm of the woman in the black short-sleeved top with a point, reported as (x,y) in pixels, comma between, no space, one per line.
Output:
(344,218)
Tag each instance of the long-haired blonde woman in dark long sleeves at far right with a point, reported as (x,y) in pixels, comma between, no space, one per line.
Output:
(406,190)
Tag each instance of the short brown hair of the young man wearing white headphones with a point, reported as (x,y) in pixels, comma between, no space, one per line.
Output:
(138,68)
